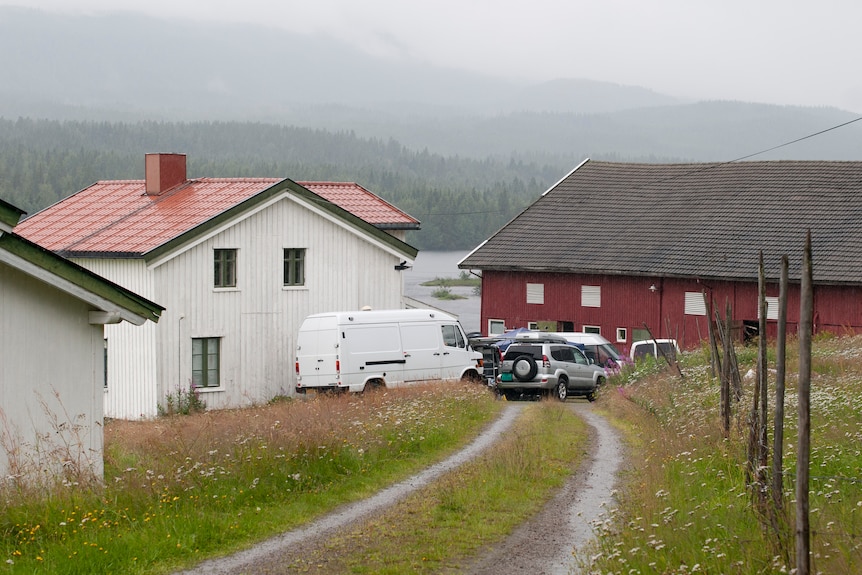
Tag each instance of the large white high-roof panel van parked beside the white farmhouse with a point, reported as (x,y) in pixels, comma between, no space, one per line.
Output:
(354,349)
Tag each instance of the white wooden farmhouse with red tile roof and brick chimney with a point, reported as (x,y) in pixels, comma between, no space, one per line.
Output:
(238,264)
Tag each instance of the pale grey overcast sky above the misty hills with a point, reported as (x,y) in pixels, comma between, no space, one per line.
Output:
(772,51)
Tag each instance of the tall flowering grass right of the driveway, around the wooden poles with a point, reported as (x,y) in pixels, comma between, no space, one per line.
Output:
(684,506)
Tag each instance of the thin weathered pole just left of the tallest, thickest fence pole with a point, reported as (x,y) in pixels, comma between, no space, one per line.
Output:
(780,368)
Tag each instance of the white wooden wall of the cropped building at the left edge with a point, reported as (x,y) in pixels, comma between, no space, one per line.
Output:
(50,378)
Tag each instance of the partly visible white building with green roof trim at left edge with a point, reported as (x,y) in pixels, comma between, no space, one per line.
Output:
(52,358)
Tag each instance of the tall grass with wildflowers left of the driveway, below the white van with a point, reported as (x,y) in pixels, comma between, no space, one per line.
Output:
(181,488)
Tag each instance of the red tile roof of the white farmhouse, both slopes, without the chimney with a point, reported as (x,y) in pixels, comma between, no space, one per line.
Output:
(119,217)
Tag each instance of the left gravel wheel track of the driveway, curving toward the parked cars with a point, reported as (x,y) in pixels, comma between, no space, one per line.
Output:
(264,556)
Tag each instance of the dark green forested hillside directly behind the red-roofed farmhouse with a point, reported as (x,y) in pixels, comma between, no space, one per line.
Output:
(460,202)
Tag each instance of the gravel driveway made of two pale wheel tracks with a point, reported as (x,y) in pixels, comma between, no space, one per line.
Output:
(529,550)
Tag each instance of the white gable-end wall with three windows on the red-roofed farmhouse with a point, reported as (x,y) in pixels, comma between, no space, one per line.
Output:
(257,322)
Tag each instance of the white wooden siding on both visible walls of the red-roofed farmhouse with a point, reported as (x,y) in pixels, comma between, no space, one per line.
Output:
(257,322)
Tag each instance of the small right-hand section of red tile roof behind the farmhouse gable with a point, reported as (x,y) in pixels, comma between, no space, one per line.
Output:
(362,203)
